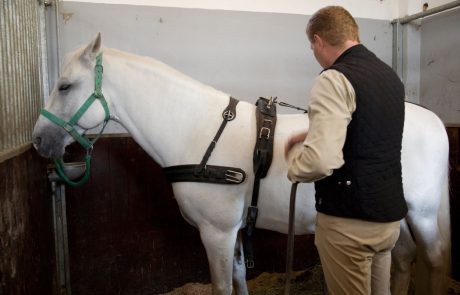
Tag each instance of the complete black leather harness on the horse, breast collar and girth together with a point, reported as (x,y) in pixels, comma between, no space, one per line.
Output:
(262,158)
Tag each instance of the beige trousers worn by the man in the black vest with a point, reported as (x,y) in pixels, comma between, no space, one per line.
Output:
(355,254)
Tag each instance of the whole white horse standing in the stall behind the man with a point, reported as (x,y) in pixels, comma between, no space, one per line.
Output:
(174,118)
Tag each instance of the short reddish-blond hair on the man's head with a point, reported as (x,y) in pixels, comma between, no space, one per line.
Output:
(334,24)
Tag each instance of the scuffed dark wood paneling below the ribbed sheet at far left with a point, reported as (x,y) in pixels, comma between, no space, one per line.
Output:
(26,230)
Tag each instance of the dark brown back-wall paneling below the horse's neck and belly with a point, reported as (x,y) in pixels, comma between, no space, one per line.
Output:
(126,234)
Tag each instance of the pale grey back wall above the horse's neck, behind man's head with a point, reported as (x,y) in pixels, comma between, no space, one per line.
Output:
(244,53)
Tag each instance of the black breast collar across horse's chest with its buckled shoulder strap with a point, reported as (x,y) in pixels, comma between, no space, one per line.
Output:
(208,173)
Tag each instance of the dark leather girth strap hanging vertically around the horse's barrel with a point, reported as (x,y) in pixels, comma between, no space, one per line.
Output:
(262,159)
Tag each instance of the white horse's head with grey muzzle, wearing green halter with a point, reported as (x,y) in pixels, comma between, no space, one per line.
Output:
(68,112)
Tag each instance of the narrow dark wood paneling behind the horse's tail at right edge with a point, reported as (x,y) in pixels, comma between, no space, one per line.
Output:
(454,146)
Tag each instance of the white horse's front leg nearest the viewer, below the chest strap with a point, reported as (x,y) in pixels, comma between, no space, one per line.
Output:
(219,247)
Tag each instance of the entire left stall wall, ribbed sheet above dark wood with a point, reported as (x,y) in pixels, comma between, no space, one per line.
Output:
(26,229)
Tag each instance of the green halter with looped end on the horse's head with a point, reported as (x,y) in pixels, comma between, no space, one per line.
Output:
(69,126)
